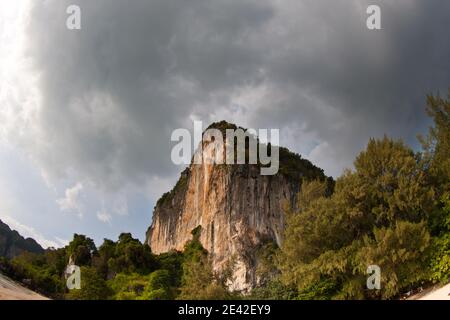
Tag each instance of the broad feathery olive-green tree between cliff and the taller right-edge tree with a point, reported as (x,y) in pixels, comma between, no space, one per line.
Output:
(375,216)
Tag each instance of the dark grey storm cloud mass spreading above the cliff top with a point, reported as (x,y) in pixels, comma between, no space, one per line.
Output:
(113,91)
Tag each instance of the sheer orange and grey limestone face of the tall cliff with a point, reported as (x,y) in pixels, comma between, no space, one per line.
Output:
(237,208)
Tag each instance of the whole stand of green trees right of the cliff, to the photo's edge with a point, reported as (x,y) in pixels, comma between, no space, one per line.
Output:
(392,210)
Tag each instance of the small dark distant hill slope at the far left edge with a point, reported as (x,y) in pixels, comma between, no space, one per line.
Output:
(13,244)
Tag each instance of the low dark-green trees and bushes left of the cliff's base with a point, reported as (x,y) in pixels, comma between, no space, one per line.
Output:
(122,270)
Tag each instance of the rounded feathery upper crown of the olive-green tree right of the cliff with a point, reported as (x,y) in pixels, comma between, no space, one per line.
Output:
(388,184)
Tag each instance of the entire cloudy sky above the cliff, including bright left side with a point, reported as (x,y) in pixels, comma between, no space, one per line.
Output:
(86,115)
